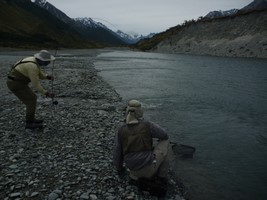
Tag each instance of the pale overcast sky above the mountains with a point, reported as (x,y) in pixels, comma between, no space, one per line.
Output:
(143,16)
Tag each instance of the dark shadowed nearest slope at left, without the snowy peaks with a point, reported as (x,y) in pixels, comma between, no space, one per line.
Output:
(24,24)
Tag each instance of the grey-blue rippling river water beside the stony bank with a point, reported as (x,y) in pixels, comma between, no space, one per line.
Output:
(218,105)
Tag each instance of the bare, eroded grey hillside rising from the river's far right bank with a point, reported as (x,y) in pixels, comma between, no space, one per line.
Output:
(241,35)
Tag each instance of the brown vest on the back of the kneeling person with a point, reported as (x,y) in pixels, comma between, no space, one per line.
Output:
(136,137)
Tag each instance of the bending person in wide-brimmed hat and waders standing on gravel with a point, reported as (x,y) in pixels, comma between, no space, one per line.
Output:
(22,73)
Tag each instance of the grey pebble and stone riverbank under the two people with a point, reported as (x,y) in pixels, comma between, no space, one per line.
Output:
(72,157)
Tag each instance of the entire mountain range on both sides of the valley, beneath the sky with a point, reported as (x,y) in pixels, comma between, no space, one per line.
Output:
(28,24)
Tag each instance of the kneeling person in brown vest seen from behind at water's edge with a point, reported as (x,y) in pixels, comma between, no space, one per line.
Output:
(147,161)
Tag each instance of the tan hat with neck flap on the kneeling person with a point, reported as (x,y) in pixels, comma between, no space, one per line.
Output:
(134,112)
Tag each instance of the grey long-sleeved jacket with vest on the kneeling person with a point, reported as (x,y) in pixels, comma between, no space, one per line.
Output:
(134,144)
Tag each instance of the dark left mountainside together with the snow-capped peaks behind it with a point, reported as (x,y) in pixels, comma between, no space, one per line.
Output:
(27,24)
